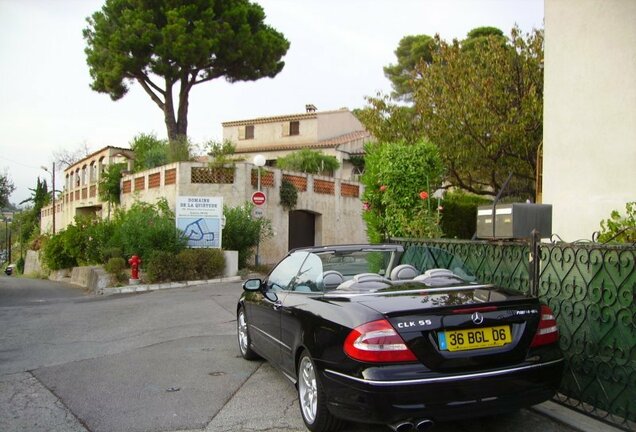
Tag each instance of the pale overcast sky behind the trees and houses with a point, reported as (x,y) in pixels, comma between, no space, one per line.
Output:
(338,49)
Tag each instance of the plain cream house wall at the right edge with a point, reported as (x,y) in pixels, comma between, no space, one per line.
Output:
(589,166)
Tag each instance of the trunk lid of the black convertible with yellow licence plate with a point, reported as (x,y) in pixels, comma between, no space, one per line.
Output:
(459,327)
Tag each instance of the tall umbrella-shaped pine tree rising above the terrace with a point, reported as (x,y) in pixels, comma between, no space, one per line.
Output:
(166,43)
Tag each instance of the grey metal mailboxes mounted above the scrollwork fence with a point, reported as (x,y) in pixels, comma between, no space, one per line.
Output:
(514,221)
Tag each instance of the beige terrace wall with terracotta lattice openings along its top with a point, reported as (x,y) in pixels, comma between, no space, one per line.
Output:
(334,202)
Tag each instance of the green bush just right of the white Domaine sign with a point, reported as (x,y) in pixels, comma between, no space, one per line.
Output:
(242,233)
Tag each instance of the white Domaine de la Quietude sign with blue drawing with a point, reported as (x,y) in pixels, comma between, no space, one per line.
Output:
(200,220)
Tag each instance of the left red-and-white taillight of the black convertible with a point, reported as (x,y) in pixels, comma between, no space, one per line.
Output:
(377,342)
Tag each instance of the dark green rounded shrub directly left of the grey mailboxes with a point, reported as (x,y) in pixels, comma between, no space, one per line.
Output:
(459,214)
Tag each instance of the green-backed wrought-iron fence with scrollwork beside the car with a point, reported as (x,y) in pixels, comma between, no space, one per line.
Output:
(591,288)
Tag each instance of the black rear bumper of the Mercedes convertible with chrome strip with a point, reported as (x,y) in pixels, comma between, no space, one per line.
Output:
(441,398)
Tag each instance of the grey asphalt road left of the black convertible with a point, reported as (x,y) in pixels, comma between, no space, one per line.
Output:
(159,361)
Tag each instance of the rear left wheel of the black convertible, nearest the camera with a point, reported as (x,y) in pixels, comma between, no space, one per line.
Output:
(311,399)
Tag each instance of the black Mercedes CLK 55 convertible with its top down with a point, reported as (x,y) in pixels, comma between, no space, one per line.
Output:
(374,334)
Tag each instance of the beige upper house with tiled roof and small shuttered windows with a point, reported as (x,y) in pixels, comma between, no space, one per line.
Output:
(337,133)
